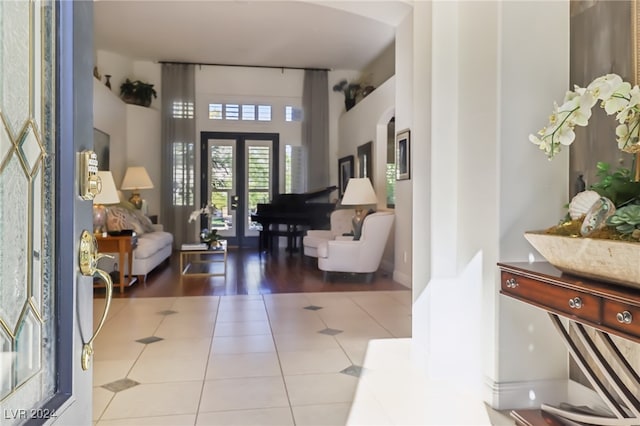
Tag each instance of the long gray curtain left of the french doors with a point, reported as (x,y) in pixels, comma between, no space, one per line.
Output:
(178,151)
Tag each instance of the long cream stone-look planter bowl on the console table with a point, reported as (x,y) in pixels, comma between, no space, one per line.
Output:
(612,261)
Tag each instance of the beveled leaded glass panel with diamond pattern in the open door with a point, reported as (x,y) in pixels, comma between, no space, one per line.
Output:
(27,209)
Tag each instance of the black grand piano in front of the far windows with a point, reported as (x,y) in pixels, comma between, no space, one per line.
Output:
(290,215)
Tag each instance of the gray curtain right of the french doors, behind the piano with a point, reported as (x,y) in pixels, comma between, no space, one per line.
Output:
(315,128)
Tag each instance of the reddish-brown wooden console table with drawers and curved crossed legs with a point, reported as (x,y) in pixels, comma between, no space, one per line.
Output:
(609,309)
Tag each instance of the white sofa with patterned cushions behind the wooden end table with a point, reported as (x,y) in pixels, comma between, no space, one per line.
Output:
(154,244)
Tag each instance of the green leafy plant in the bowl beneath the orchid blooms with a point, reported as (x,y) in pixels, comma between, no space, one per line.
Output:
(618,186)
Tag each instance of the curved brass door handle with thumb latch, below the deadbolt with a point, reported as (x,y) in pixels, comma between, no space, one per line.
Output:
(88,259)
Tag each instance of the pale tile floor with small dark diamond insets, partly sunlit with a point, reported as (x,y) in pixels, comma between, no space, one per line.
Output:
(282,359)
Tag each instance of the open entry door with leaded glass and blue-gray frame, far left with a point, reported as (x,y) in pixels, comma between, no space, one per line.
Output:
(46,52)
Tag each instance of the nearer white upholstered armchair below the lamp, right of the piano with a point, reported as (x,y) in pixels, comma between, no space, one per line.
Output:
(361,256)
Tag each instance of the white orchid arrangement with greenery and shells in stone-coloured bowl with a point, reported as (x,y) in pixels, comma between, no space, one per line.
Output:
(600,237)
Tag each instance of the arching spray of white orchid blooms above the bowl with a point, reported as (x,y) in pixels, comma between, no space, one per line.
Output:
(616,97)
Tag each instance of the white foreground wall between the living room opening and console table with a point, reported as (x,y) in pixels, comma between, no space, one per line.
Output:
(480,71)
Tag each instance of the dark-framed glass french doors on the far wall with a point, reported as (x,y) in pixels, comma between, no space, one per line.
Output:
(238,171)
